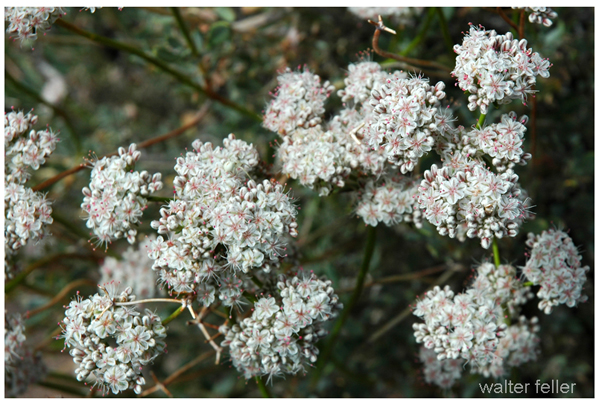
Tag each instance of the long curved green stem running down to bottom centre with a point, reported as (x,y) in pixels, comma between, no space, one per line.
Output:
(326,353)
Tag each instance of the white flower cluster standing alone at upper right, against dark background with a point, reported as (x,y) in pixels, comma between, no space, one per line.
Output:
(496,68)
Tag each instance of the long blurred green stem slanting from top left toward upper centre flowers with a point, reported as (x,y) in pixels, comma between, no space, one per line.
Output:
(160,64)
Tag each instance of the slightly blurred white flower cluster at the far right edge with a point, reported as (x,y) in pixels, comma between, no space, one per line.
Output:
(555,265)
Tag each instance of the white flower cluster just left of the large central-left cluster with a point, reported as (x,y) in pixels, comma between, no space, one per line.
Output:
(115,199)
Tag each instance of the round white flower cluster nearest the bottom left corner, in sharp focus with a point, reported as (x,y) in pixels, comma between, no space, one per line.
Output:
(91,328)
